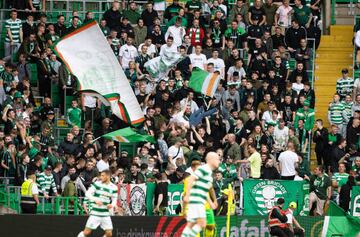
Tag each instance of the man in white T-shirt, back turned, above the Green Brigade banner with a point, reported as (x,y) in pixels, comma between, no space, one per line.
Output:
(287,162)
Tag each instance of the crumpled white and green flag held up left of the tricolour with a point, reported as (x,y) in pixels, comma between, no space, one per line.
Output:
(159,67)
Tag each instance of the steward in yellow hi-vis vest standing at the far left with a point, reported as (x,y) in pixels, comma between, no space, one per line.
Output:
(29,194)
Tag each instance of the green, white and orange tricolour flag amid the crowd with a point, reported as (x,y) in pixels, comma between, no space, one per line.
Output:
(204,82)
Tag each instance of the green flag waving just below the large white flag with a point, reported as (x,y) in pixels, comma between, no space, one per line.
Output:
(128,135)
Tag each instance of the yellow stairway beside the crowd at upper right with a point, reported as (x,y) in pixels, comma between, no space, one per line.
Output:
(335,53)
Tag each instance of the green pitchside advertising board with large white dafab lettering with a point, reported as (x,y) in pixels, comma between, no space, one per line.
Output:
(257,226)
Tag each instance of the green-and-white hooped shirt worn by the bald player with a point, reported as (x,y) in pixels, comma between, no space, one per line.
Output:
(199,191)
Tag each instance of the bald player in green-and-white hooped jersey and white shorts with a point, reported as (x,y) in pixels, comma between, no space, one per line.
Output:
(196,195)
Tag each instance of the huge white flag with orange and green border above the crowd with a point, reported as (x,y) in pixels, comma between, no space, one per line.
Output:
(88,56)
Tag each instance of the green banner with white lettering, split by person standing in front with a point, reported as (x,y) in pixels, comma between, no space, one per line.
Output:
(175,192)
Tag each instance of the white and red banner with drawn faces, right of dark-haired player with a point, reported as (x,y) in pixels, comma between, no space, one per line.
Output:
(132,199)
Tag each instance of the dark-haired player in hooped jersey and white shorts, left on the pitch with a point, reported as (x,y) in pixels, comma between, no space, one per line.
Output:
(103,197)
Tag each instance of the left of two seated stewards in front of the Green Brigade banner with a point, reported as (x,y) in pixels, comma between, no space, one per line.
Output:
(277,221)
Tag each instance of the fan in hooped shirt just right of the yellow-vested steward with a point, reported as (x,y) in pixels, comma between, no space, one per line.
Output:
(46,183)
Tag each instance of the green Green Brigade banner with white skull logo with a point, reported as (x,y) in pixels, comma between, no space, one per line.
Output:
(261,195)
